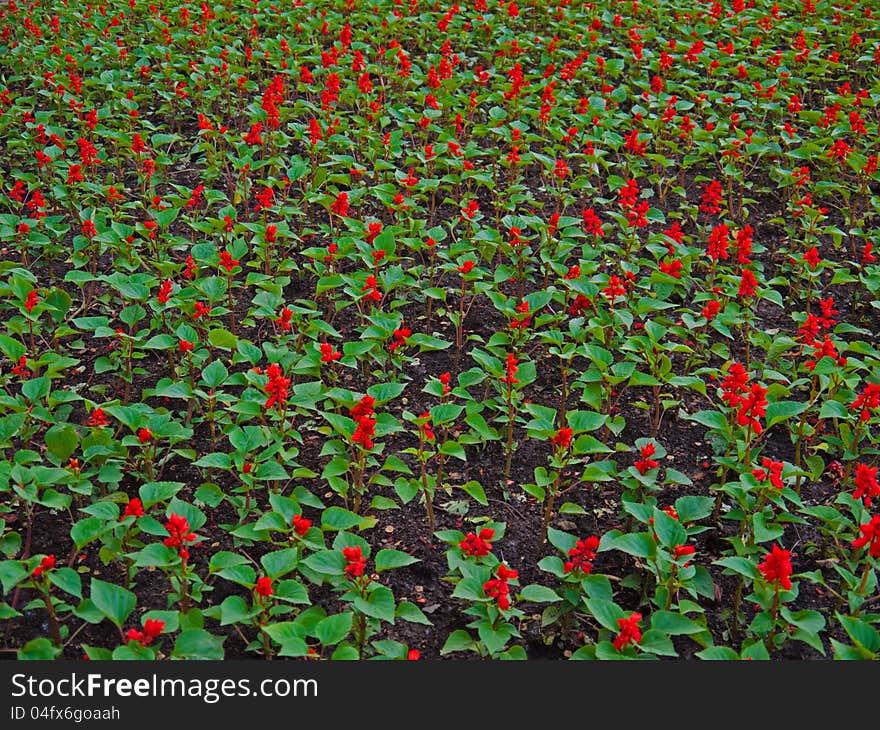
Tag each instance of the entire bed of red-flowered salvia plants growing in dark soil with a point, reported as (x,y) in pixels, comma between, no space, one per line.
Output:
(404,329)
